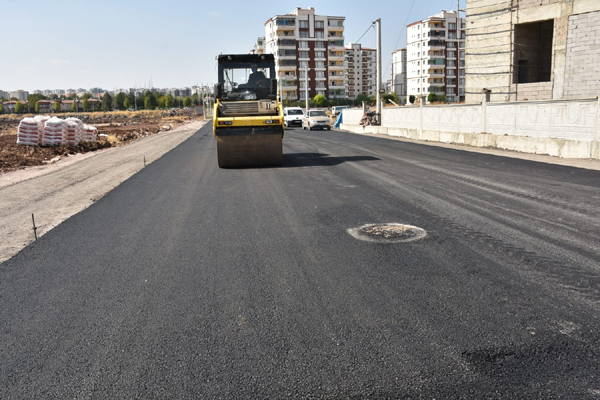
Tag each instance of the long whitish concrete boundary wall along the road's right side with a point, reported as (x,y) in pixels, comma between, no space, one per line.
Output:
(561,128)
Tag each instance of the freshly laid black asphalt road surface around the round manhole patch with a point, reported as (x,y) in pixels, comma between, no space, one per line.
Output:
(188,281)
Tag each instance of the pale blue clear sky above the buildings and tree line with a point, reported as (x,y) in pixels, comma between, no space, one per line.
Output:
(71,44)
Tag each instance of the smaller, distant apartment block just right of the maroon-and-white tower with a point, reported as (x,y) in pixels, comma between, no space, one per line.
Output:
(361,72)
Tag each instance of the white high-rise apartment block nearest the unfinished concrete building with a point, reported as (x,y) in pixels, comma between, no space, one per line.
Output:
(436,56)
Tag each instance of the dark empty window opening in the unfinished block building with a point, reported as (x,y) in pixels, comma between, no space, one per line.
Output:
(533,52)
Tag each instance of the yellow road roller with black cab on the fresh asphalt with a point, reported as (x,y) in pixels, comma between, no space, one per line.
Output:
(248,117)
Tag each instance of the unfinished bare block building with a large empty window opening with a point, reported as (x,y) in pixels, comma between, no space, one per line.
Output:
(532,49)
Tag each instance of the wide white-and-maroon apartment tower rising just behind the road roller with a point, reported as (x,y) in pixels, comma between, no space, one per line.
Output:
(302,42)
